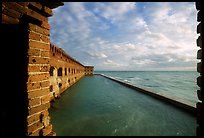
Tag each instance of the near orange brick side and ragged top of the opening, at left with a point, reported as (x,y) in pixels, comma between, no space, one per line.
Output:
(34,16)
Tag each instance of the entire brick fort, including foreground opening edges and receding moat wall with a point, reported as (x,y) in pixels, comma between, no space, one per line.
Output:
(37,72)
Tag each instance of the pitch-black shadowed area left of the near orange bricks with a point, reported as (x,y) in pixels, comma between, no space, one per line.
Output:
(14,64)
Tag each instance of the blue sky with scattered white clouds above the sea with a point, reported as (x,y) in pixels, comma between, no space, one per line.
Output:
(132,36)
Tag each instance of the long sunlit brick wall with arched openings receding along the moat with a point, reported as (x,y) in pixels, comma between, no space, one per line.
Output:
(64,72)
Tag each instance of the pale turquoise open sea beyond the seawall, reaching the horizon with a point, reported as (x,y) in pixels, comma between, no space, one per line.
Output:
(177,84)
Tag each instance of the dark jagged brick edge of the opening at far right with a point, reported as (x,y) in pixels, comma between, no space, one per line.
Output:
(200,127)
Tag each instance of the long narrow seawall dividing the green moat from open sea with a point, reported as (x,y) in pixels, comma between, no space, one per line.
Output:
(174,102)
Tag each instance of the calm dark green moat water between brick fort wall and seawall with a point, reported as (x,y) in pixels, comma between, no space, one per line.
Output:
(97,106)
